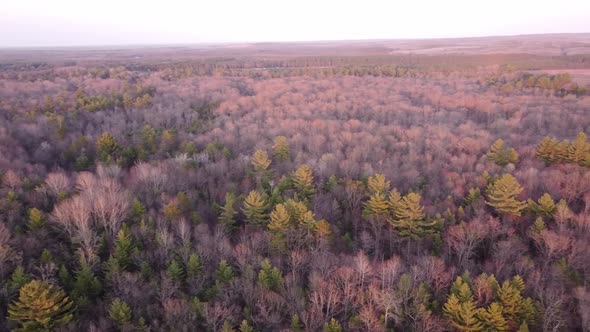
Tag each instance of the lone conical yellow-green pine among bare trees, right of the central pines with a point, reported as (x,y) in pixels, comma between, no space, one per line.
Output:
(503,196)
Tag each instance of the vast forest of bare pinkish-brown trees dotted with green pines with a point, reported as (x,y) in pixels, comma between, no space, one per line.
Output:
(143,190)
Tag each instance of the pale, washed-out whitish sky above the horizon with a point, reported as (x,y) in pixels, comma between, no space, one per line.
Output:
(43,23)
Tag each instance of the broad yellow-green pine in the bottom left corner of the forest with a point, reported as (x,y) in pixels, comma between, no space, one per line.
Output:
(41,307)
